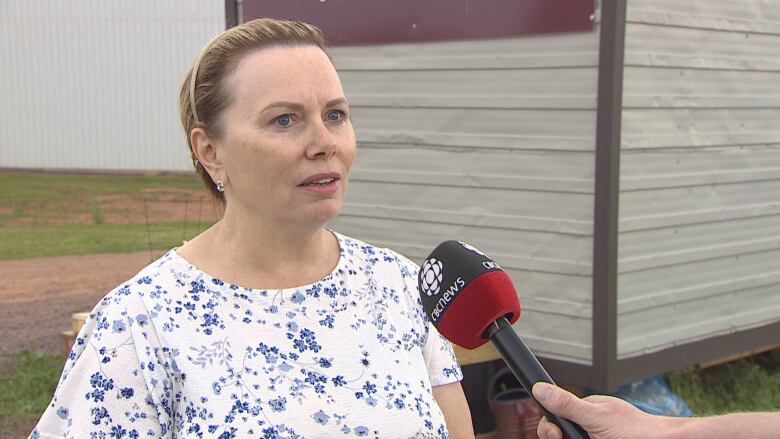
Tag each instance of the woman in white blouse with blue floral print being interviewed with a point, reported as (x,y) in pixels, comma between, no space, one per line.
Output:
(266,324)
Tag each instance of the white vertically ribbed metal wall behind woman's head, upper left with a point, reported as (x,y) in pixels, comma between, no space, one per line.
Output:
(94,83)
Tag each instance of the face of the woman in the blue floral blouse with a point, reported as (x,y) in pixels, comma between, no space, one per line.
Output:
(288,143)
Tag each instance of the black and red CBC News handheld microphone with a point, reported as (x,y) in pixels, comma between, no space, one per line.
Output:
(470,299)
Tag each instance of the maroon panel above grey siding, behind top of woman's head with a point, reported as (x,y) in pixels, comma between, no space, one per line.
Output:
(394,21)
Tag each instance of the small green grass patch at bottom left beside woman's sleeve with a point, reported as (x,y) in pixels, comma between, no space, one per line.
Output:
(29,383)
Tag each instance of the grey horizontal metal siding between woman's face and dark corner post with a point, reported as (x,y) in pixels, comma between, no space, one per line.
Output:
(491,142)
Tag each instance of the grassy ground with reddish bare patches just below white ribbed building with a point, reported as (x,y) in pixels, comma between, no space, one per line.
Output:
(62,214)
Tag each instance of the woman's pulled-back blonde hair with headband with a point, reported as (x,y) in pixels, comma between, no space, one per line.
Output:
(203,96)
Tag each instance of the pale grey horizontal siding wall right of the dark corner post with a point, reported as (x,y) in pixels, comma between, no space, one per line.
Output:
(700,172)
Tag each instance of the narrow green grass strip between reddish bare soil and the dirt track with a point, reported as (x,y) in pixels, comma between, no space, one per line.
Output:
(81,239)
